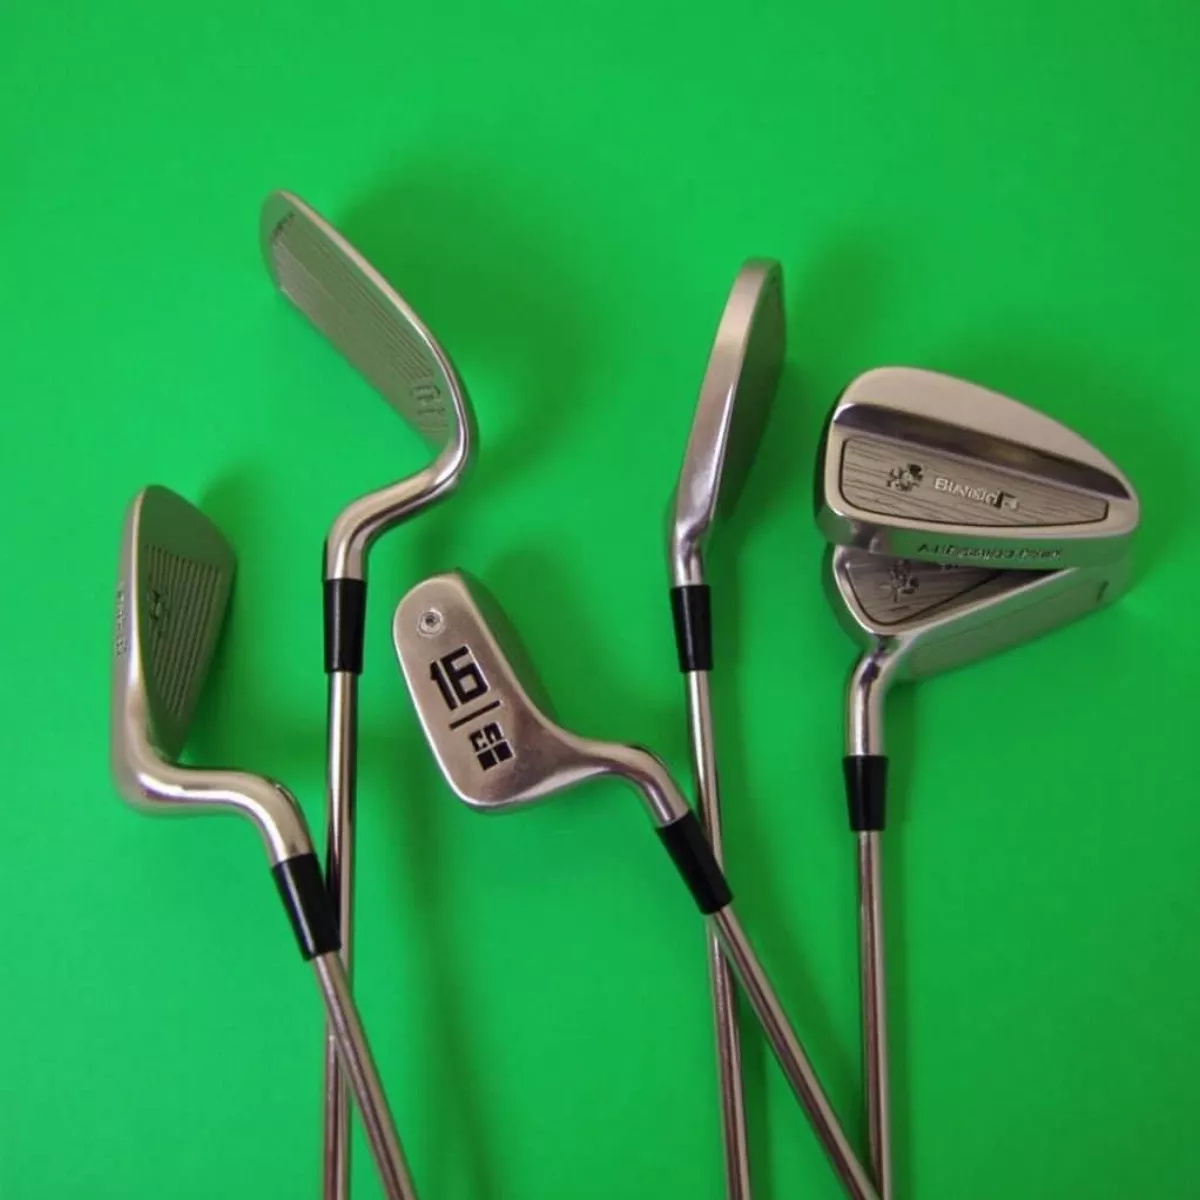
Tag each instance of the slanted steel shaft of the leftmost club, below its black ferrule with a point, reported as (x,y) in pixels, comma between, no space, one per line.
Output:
(361,1072)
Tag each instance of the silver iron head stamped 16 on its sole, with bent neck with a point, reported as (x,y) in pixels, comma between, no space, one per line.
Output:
(496,748)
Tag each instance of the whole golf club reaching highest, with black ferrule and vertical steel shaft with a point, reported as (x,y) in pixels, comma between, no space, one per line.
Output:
(363,316)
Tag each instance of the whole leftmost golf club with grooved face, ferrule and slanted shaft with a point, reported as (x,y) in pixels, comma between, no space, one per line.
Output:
(173,589)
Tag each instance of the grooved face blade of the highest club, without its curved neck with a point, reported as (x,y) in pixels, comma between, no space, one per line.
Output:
(363,316)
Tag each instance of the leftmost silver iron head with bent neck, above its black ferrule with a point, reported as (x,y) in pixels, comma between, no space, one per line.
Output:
(172,595)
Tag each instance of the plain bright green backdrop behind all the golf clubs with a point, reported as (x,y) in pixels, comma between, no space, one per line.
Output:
(1004,193)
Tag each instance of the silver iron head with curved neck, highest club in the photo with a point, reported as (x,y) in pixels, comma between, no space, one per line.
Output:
(385,340)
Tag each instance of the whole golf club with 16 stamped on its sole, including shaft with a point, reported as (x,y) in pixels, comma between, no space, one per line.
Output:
(499,751)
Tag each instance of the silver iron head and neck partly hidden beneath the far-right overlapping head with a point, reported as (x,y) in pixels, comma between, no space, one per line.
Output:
(914,620)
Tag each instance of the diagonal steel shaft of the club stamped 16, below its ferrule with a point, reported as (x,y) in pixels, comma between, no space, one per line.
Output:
(790,1055)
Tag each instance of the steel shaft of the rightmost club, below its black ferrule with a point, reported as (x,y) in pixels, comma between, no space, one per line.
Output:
(874,1010)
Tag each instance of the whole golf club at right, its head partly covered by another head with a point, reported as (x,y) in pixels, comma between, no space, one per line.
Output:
(915,620)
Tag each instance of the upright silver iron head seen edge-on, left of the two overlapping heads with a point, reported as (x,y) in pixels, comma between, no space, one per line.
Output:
(735,399)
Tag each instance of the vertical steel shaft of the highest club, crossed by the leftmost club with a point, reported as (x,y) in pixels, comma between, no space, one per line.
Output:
(340,881)
